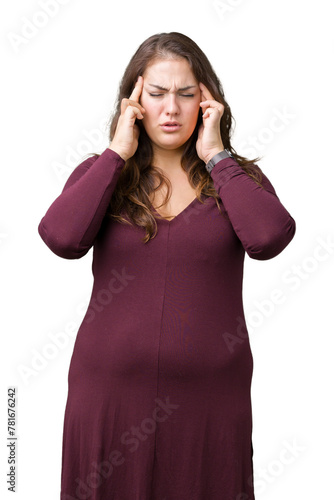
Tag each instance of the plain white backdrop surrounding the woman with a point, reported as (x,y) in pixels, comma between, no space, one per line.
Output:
(59,84)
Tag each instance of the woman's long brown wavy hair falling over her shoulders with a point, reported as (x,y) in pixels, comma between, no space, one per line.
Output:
(131,196)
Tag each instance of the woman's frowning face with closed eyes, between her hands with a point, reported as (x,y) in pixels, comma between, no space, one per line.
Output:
(170,94)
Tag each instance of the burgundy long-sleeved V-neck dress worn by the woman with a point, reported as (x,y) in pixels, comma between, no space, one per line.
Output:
(159,404)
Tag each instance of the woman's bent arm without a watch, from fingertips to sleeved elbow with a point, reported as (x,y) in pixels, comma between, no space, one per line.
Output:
(72,222)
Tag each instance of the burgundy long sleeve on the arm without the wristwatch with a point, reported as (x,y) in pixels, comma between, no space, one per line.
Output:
(72,222)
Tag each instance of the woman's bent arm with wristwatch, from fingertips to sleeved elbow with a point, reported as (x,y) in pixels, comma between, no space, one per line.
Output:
(259,219)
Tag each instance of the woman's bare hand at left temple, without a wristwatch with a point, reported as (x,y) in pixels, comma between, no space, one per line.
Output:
(125,140)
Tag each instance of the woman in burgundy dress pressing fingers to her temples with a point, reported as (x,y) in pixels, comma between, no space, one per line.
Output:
(159,401)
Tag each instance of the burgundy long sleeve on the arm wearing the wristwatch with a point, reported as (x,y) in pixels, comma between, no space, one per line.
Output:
(259,219)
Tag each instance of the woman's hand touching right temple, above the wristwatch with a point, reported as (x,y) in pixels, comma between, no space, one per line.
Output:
(209,141)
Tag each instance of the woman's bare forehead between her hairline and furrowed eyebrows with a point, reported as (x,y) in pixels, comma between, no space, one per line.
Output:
(169,72)
